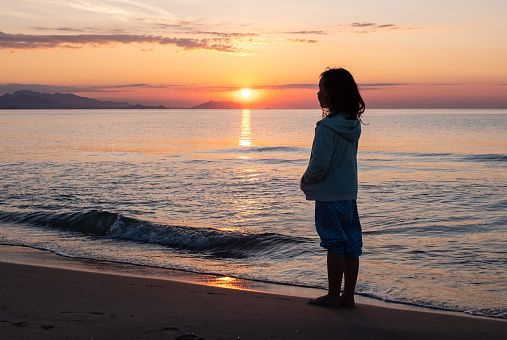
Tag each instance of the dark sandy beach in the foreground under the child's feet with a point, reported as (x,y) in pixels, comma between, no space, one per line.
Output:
(39,302)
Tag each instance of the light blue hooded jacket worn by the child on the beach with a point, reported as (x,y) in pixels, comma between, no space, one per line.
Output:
(332,172)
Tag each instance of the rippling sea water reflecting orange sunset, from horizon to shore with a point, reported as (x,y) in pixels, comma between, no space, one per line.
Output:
(217,192)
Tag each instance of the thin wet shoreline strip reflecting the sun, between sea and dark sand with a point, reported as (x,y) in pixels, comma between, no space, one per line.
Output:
(25,255)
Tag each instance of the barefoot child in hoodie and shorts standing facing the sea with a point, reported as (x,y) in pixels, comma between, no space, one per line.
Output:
(331,181)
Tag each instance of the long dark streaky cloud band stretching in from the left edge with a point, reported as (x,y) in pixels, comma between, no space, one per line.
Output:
(27,42)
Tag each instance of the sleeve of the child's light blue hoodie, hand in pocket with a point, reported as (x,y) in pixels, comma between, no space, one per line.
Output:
(322,152)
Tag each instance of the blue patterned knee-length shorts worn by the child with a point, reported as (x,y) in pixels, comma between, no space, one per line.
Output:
(338,226)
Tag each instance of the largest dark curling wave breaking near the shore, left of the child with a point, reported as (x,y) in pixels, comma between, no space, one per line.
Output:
(209,241)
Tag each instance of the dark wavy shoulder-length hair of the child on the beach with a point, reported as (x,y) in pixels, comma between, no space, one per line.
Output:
(341,94)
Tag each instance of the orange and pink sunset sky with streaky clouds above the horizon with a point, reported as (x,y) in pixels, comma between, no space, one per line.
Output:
(181,53)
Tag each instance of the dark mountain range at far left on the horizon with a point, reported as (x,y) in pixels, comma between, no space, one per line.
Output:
(26,99)
